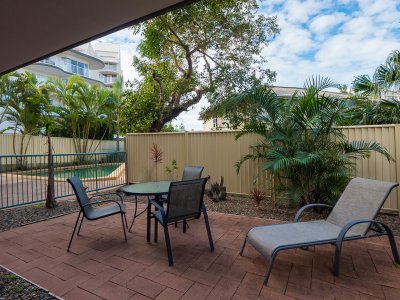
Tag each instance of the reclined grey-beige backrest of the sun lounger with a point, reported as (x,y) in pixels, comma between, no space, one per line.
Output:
(361,199)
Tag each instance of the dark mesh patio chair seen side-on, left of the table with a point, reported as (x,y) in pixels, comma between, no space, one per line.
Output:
(90,212)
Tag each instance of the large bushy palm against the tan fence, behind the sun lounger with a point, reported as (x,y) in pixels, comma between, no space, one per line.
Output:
(300,144)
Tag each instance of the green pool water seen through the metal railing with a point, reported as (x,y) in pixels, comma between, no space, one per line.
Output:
(85,172)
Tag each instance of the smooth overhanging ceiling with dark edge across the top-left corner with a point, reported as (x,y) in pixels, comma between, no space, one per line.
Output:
(33,30)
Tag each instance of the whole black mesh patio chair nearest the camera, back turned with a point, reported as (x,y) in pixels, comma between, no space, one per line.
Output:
(184,202)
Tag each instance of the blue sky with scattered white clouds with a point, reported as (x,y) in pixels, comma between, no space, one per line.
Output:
(338,39)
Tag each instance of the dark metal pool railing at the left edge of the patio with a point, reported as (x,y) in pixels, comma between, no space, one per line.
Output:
(23,178)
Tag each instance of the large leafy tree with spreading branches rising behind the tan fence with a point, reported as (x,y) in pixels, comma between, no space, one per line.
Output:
(209,49)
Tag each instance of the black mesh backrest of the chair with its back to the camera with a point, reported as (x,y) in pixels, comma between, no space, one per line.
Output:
(185,199)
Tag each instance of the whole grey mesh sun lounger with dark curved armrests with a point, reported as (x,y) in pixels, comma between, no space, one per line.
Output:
(352,218)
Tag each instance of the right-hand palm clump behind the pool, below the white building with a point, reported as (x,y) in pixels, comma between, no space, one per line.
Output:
(87,112)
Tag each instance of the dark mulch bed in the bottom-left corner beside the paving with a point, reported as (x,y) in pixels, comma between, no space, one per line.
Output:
(14,287)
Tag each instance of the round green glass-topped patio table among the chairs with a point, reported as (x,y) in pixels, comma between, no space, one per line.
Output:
(154,188)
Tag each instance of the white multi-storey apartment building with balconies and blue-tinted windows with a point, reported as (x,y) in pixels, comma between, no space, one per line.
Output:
(98,63)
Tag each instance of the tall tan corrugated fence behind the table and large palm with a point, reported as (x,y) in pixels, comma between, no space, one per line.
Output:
(218,151)
